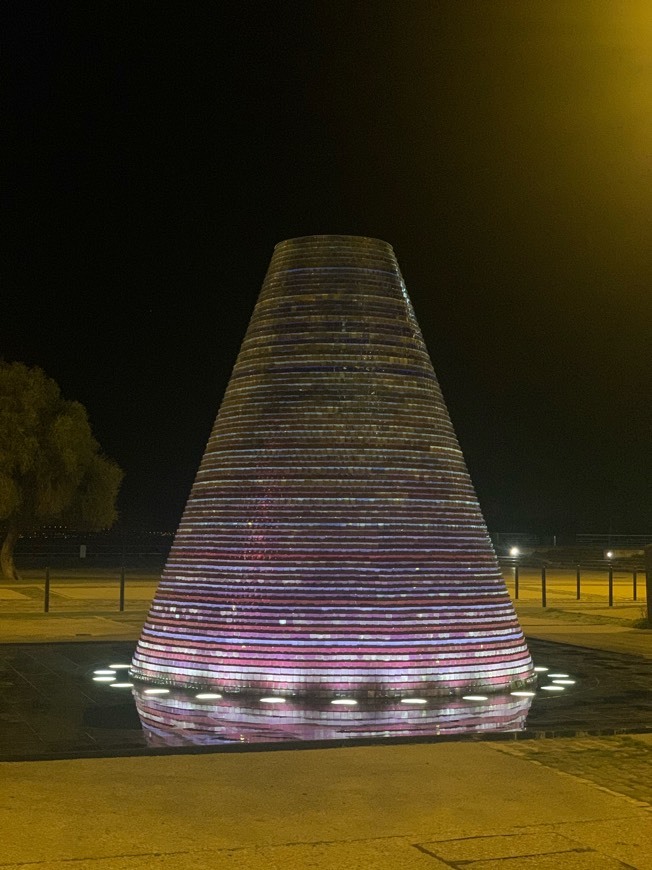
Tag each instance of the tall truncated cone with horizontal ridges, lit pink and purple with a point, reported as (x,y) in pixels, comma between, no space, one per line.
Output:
(332,544)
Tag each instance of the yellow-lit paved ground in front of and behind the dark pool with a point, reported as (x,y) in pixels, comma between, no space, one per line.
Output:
(582,802)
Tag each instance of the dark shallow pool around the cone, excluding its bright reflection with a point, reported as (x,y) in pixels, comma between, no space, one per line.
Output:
(50,707)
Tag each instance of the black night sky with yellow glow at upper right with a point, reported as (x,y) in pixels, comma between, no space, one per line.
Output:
(159,150)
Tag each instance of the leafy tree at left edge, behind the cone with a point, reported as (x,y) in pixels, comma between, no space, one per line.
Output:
(51,466)
